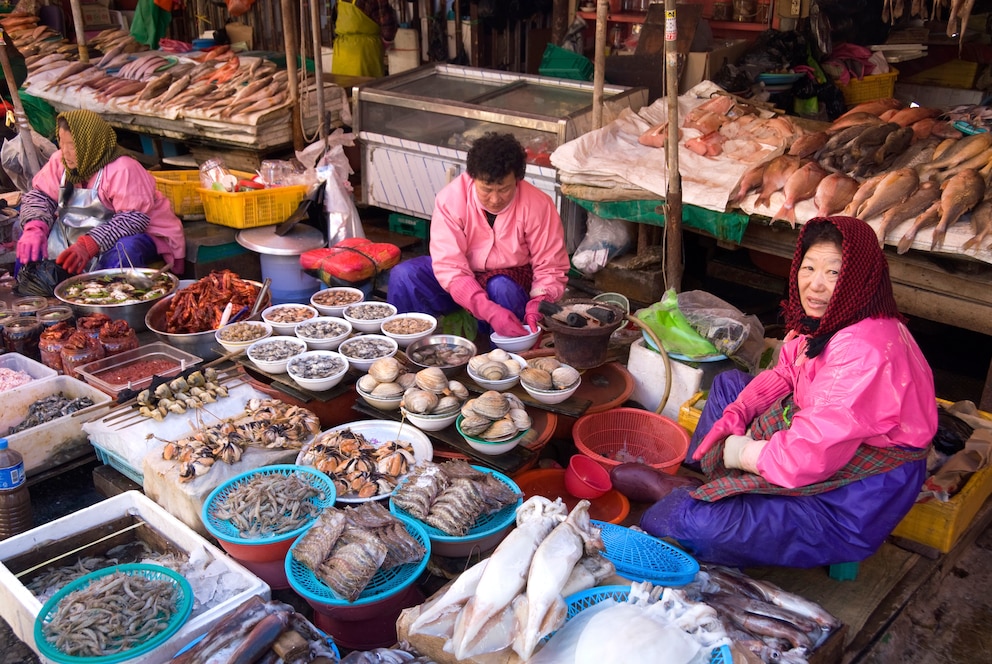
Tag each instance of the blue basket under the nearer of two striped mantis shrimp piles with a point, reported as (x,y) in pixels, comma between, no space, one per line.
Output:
(384,584)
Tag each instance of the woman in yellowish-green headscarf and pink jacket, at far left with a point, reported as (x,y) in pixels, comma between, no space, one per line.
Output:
(90,201)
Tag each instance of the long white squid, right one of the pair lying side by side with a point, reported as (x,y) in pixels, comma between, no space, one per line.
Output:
(542,610)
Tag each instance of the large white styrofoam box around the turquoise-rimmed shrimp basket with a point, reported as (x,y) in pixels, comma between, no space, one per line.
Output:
(19,607)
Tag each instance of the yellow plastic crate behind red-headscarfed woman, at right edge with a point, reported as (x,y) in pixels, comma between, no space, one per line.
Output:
(940,525)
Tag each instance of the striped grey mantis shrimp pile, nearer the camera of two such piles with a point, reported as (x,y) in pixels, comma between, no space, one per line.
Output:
(346,547)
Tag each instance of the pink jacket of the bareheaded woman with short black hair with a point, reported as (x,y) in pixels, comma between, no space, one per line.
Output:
(529,230)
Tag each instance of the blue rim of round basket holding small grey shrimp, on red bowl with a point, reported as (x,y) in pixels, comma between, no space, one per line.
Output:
(225,530)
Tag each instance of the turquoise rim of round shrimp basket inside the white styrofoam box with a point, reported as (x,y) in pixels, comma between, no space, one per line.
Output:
(183,609)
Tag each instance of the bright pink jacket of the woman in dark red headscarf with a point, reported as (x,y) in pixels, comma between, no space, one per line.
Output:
(871,384)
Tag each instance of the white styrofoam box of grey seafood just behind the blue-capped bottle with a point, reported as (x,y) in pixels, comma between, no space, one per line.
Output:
(52,443)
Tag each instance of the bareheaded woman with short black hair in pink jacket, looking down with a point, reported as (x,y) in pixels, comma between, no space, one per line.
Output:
(497,245)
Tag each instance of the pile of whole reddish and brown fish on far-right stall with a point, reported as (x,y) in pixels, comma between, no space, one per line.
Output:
(883,162)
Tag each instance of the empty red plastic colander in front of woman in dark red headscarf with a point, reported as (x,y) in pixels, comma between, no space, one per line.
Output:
(626,435)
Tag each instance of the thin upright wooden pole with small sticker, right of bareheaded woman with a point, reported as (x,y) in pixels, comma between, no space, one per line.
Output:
(673,198)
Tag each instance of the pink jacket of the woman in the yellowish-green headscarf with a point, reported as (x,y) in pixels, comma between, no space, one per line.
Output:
(127,186)
